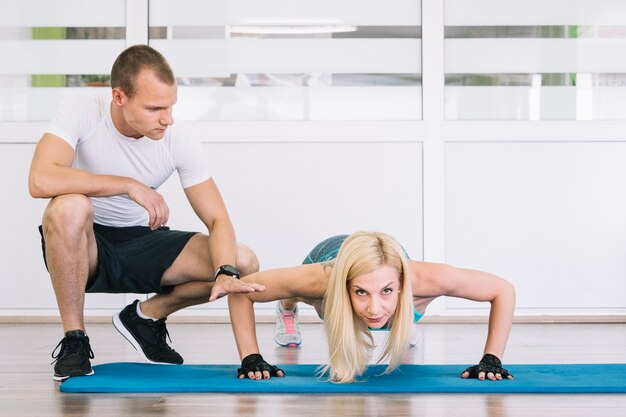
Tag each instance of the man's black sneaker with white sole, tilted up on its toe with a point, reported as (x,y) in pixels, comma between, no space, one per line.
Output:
(146,335)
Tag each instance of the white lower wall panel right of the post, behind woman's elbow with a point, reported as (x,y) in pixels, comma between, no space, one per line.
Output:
(547,215)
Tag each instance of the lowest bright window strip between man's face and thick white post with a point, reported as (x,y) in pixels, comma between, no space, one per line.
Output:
(293,103)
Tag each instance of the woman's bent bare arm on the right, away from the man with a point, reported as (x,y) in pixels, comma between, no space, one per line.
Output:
(438,279)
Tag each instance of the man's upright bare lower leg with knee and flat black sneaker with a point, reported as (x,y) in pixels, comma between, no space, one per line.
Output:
(71,256)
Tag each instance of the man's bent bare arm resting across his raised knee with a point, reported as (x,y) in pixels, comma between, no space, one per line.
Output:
(51,174)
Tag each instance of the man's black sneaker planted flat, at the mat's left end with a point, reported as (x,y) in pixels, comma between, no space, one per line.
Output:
(73,357)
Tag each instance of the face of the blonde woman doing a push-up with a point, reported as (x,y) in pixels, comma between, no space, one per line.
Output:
(375,295)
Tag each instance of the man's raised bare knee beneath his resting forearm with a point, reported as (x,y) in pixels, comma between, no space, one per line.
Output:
(67,213)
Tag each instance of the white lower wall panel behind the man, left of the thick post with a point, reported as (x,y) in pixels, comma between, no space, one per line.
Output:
(283,198)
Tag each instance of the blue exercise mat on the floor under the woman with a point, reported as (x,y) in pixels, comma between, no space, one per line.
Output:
(142,377)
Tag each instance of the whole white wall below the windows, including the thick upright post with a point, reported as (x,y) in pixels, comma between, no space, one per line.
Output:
(540,203)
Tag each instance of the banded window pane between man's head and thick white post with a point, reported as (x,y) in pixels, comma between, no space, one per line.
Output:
(278,63)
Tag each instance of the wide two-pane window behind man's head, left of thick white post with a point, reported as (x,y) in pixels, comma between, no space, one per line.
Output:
(235,59)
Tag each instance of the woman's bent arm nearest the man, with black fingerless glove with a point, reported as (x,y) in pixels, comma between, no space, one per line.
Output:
(305,281)
